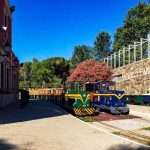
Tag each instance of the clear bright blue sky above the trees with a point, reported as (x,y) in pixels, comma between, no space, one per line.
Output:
(50,28)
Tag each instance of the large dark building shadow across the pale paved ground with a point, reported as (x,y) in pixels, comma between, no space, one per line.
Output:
(34,110)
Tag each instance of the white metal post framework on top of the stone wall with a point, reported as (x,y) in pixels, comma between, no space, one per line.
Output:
(137,51)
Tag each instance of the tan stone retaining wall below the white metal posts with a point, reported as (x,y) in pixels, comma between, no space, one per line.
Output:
(133,78)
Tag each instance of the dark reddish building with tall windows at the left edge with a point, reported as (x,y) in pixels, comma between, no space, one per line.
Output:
(9,64)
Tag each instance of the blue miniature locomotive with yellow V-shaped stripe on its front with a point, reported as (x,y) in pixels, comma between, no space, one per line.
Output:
(113,101)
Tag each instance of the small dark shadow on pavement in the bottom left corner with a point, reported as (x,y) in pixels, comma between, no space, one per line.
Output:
(4,145)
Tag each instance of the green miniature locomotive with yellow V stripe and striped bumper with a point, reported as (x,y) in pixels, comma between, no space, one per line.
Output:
(78,100)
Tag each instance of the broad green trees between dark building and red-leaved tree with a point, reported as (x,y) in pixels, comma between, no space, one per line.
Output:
(51,72)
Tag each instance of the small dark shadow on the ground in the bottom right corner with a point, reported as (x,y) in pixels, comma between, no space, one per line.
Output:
(128,147)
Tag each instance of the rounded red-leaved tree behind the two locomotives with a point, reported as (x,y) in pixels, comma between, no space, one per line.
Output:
(90,71)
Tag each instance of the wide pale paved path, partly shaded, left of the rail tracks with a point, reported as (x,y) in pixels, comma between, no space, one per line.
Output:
(43,126)
